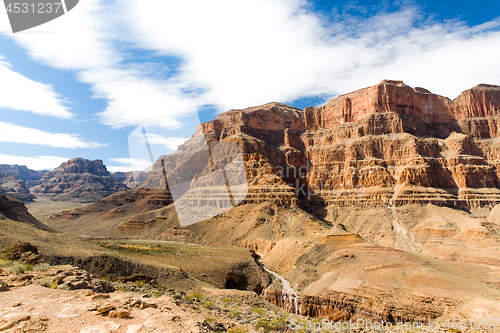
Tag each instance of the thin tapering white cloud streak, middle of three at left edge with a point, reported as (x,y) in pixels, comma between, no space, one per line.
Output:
(19,134)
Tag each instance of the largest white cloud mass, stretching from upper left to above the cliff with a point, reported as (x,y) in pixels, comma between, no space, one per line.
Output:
(238,54)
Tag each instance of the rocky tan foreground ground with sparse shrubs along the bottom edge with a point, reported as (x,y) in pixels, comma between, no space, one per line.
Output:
(63,298)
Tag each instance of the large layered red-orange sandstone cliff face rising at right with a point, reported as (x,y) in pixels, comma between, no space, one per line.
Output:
(358,147)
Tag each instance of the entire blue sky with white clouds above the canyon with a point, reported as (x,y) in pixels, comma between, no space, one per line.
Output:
(84,84)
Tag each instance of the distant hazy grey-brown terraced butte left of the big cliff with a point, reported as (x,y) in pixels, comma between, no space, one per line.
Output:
(78,180)
